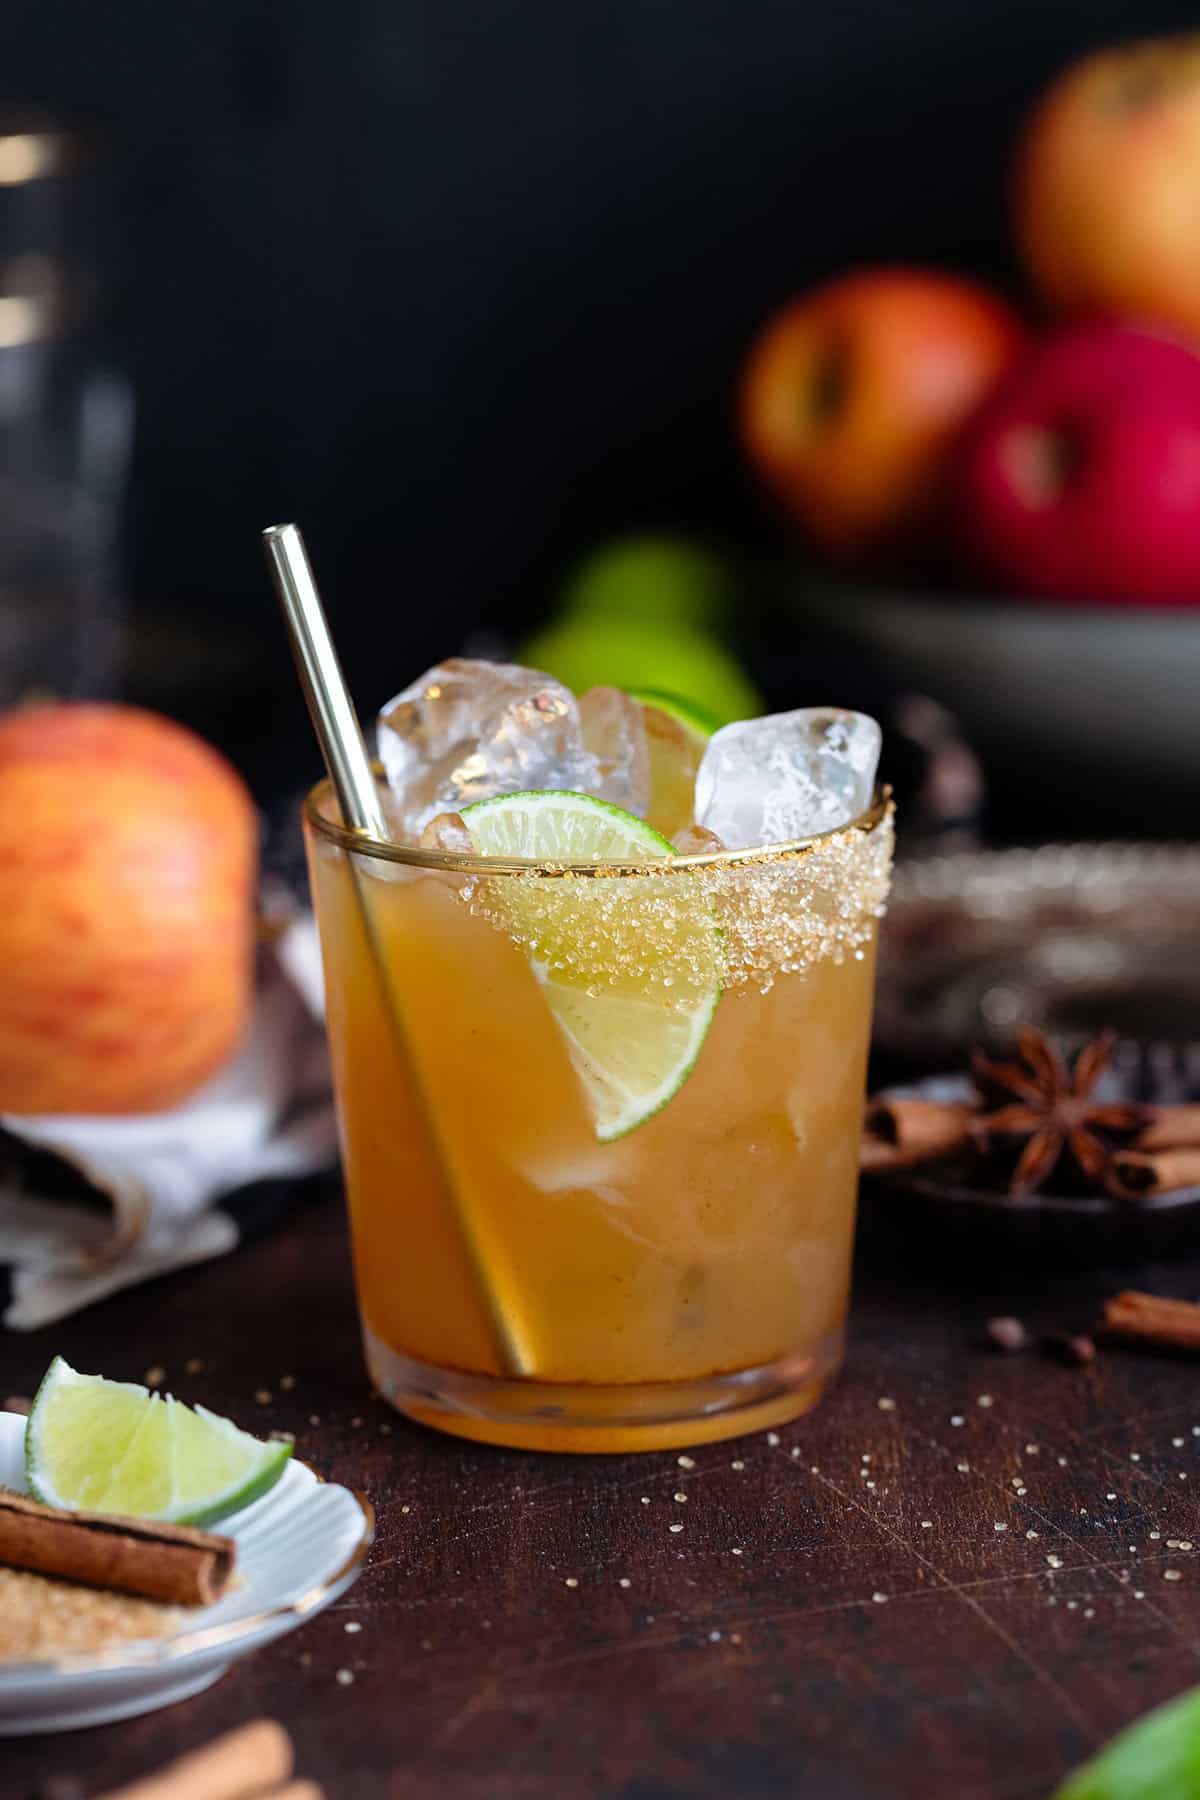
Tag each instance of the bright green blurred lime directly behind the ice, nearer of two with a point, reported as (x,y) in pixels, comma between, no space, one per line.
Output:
(604,649)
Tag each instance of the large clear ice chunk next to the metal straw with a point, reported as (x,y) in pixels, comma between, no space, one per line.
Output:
(470,730)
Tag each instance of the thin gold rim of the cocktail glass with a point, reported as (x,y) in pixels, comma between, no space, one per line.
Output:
(442,859)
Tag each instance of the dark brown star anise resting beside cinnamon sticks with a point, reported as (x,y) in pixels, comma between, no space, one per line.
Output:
(1052,1108)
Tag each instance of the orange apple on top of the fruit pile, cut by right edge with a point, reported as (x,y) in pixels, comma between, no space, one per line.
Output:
(1107,193)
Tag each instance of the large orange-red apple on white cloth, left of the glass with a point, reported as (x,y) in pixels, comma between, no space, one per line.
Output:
(127,910)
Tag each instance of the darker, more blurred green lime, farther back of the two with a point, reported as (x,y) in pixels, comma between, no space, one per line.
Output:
(654,577)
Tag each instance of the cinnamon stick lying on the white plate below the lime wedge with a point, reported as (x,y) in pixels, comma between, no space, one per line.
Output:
(170,1563)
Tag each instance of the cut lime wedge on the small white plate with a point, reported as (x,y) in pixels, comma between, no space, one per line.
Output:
(112,1446)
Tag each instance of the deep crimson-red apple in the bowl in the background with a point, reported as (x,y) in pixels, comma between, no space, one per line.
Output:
(1082,476)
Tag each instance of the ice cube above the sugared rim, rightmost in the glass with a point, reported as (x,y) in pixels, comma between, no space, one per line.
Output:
(791,775)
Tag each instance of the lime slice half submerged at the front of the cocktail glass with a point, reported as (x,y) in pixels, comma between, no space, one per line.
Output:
(634,1041)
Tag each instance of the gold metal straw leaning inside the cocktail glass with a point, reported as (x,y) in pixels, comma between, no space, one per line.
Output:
(346,759)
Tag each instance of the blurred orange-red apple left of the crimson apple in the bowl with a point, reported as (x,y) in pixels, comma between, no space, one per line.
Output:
(852,397)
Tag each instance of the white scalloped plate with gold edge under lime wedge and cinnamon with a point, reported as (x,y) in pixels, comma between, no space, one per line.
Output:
(298,1551)
